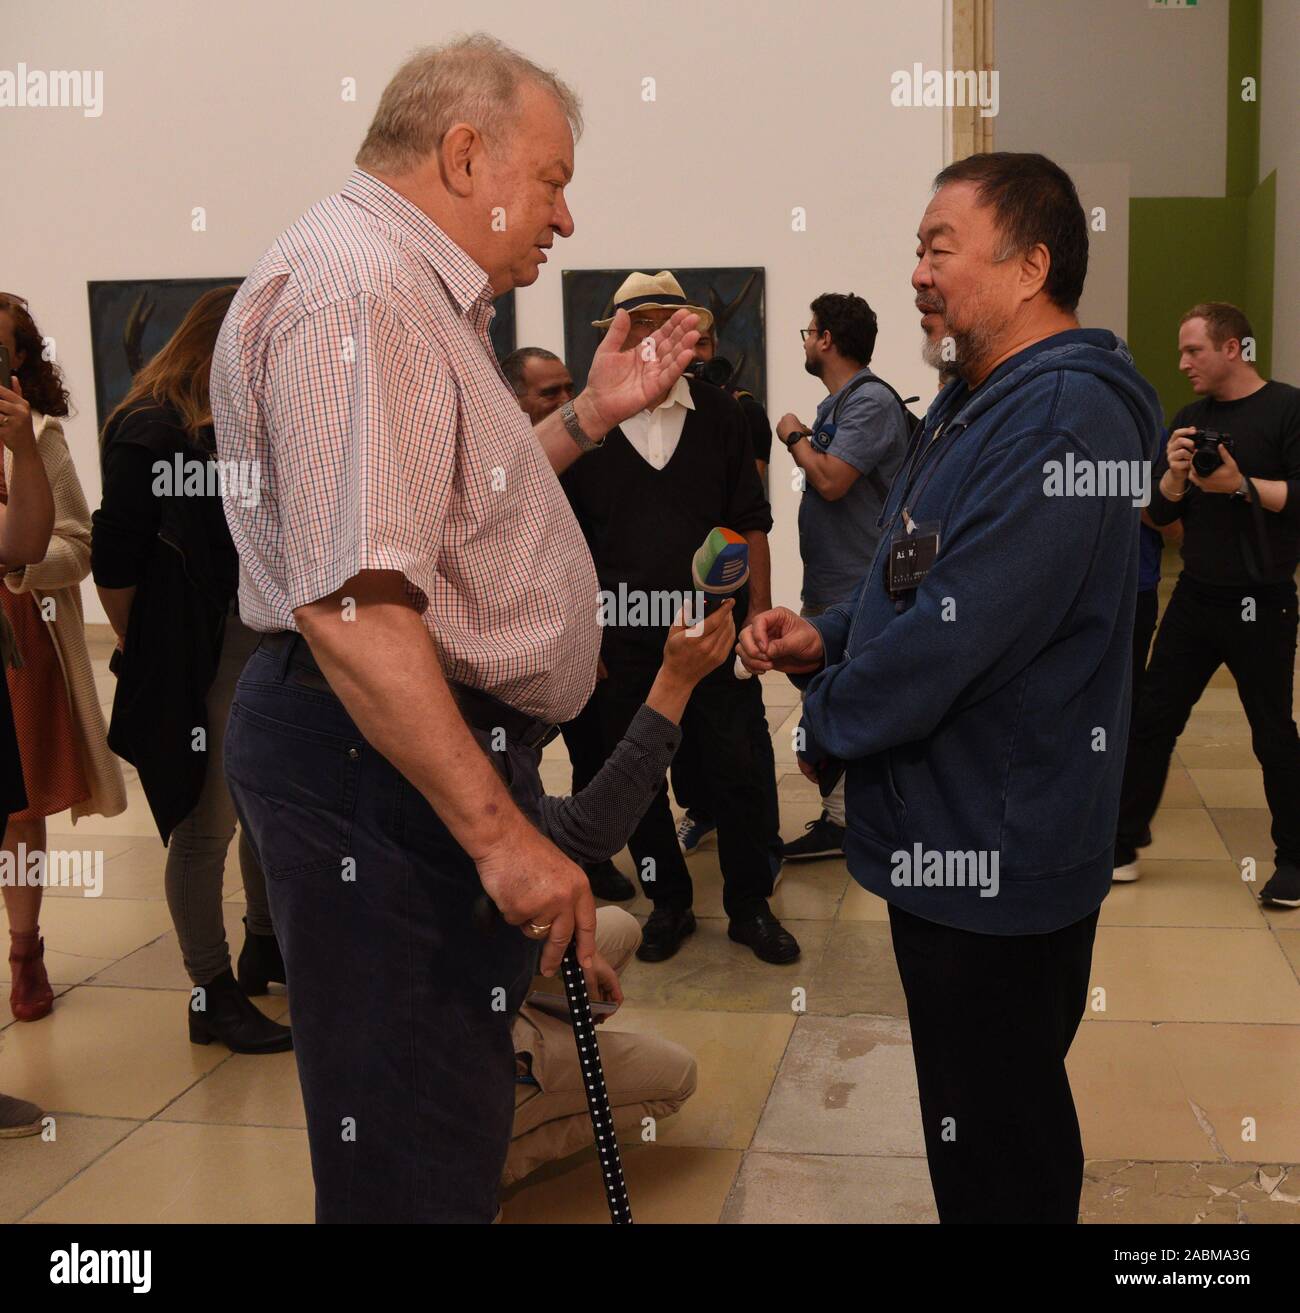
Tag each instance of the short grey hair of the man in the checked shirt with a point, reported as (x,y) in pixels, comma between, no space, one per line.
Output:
(473,81)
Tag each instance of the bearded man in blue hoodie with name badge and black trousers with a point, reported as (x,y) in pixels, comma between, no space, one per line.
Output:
(978,686)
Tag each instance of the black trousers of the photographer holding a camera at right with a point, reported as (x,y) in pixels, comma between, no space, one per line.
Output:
(1202,631)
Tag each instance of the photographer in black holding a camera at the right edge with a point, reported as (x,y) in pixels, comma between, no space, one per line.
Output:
(1231,473)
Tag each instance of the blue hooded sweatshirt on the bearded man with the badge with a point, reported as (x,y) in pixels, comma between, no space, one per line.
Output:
(987,714)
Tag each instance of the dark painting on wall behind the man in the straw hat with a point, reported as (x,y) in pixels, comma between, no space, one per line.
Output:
(733,295)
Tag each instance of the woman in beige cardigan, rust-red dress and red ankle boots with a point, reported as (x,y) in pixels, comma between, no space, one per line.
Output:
(66,762)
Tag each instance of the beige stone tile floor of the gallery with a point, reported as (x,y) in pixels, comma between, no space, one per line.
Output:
(1186,1084)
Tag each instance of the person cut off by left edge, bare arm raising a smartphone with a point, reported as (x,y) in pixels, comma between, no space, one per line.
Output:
(27,522)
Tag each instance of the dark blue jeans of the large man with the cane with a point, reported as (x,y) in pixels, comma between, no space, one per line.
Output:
(402,1004)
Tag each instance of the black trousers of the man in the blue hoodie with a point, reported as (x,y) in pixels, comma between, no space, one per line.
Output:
(992,1021)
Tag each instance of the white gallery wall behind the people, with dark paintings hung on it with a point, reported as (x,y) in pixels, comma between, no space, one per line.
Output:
(238,108)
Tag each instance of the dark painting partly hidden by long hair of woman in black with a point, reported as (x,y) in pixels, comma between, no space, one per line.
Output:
(131,322)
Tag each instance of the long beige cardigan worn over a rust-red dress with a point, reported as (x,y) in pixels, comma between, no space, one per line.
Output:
(58,577)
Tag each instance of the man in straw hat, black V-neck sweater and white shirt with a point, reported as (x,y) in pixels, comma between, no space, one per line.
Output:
(647,501)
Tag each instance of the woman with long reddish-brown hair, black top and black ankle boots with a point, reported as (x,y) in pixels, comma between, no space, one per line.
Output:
(167,573)
